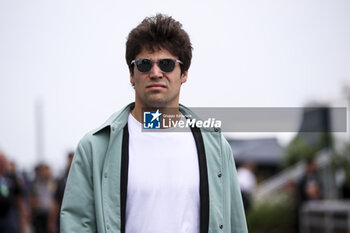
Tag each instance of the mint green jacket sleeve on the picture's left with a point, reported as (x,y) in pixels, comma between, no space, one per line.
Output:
(77,212)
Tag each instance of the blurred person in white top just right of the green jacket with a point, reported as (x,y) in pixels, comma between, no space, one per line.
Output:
(247,183)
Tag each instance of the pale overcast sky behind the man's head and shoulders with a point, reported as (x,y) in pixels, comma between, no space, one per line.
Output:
(69,56)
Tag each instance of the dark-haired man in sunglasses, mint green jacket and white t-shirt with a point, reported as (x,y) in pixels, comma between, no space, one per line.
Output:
(125,180)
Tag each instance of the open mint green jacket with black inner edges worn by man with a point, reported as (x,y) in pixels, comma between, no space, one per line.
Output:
(94,199)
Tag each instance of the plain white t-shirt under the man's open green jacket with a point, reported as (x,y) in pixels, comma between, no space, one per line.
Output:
(163,182)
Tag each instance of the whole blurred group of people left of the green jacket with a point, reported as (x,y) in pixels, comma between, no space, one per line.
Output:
(30,205)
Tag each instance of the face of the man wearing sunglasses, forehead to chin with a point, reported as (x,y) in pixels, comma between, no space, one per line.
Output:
(156,88)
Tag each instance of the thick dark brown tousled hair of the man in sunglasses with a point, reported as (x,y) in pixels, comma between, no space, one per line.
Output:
(156,32)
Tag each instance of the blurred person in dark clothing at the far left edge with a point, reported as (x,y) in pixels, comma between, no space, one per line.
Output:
(11,205)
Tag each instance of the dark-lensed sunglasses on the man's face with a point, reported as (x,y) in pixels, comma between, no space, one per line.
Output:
(145,65)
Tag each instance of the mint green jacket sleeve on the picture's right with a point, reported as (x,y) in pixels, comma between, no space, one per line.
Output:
(237,214)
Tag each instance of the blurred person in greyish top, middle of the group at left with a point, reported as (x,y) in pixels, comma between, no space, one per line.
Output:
(41,197)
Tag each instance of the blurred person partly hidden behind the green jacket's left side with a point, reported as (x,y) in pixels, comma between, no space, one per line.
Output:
(54,220)
